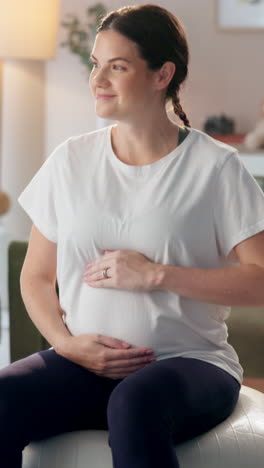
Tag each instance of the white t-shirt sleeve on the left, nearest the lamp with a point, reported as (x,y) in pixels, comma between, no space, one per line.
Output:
(40,197)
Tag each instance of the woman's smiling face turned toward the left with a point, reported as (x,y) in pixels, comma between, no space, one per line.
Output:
(121,82)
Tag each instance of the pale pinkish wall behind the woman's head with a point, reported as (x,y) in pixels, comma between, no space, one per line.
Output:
(226,73)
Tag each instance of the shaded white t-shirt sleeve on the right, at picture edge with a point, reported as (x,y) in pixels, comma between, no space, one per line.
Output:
(238,205)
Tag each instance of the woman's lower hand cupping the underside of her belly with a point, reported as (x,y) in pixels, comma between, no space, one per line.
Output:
(104,355)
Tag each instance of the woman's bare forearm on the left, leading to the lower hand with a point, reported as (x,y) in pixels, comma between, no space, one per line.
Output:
(42,304)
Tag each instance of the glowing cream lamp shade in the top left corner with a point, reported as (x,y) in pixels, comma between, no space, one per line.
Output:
(28,28)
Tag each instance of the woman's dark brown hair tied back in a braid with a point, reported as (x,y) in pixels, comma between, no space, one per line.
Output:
(160,37)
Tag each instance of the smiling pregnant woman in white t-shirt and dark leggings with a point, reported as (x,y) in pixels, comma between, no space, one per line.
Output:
(152,230)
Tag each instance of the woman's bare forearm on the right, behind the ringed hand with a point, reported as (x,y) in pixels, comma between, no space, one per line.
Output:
(238,286)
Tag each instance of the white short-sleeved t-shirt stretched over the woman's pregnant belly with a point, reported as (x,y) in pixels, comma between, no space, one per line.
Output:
(190,208)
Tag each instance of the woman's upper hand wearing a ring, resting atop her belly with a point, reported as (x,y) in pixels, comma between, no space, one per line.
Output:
(126,269)
